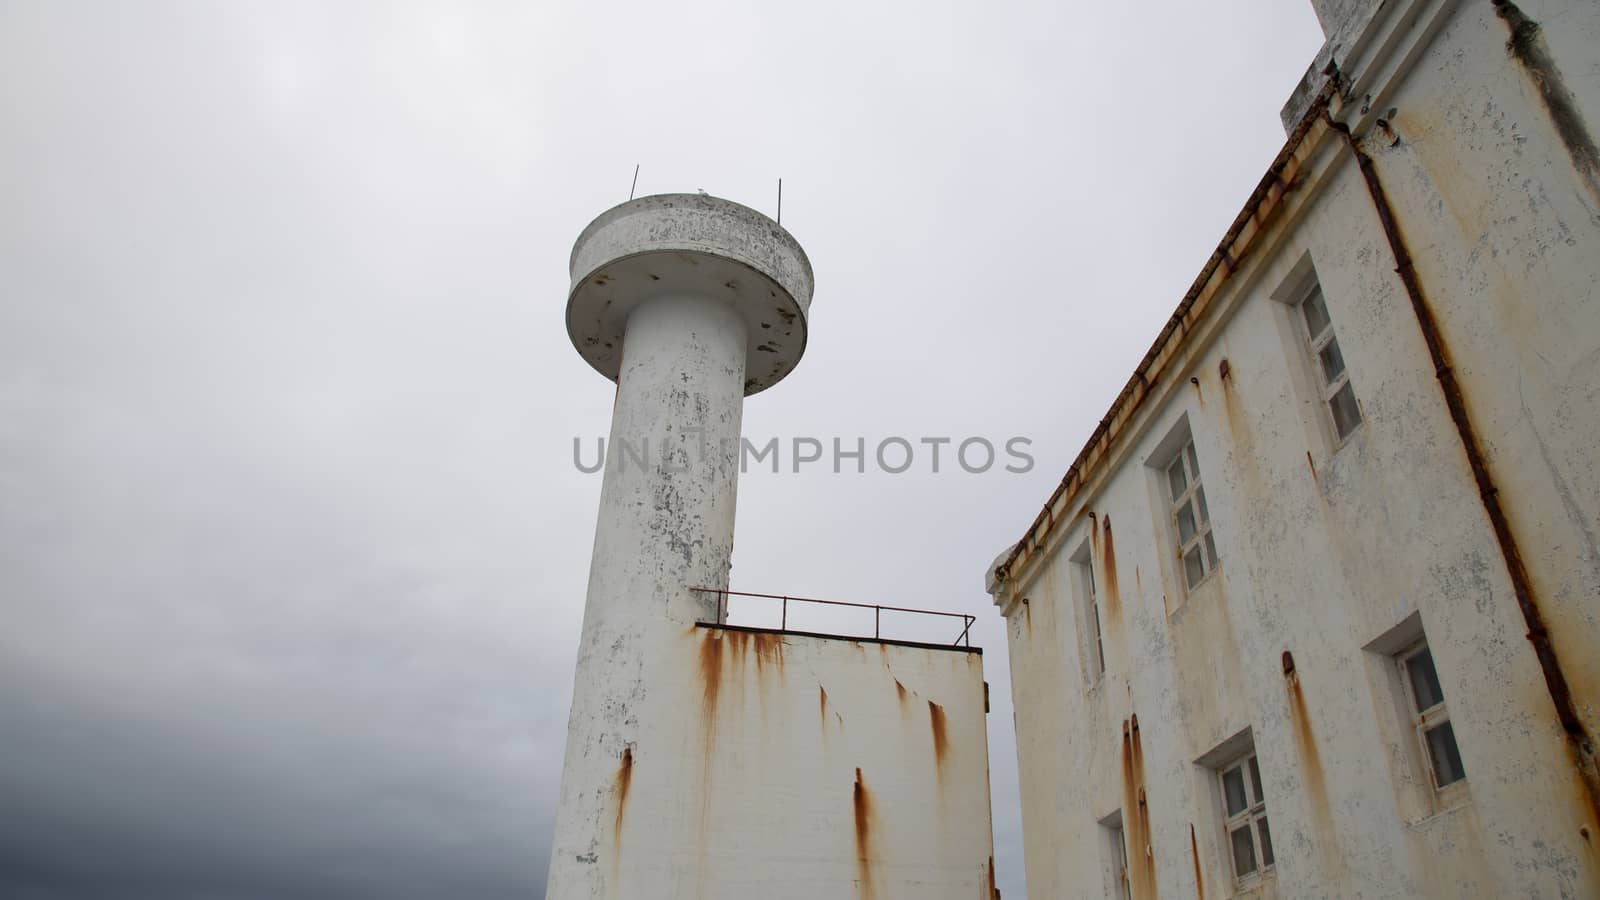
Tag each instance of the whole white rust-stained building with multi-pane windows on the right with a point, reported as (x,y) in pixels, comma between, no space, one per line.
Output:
(1316,613)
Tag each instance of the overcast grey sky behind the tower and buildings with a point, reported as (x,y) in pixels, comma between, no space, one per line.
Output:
(292,545)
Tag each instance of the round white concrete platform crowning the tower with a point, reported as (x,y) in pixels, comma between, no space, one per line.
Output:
(690,244)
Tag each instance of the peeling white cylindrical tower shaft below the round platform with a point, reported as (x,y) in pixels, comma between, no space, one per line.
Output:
(666,526)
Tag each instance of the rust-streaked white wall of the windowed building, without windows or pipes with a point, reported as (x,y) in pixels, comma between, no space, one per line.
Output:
(1330,547)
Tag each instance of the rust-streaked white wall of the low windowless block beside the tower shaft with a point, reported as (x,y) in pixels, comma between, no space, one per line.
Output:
(793,768)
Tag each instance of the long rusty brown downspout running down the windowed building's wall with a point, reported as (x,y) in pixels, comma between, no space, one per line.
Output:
(1578,739)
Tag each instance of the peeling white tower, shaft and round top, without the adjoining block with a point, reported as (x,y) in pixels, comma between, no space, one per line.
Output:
(679,347)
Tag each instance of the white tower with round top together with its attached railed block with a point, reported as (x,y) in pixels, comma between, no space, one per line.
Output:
(710,760)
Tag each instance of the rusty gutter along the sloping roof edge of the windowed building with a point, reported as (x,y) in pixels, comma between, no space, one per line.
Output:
(1148,374)
